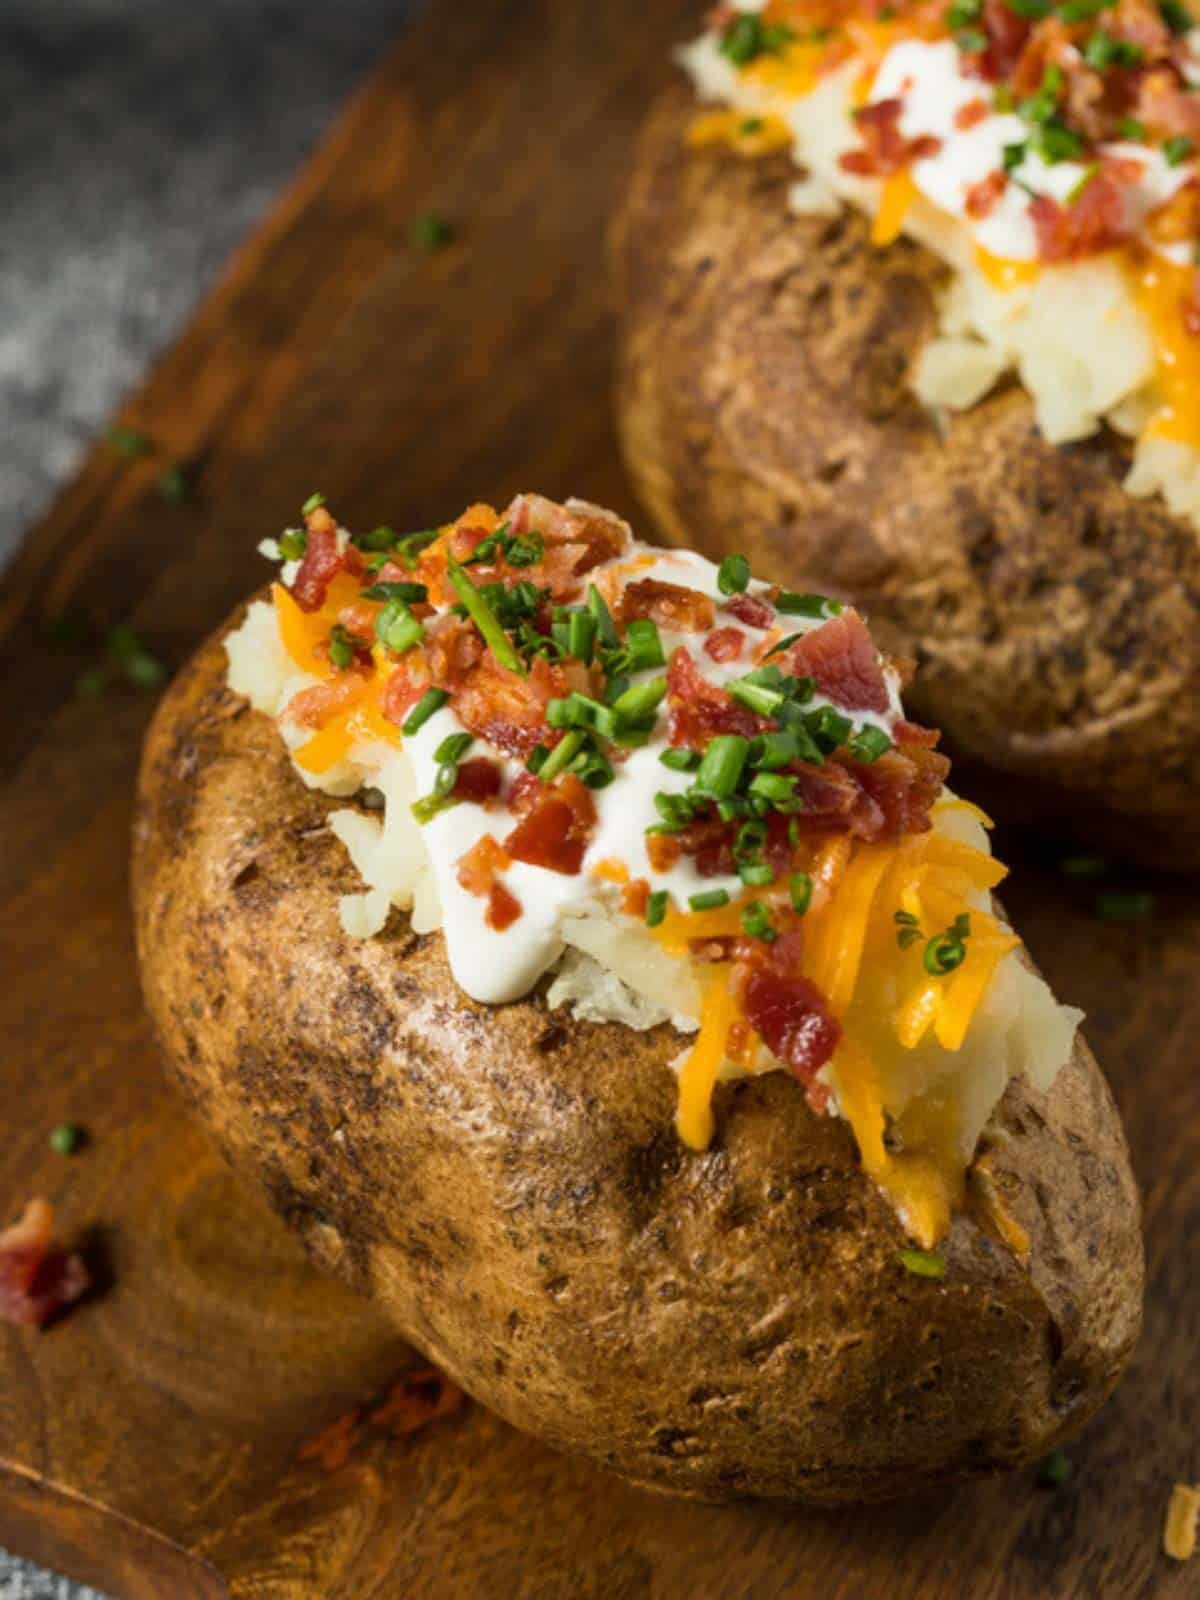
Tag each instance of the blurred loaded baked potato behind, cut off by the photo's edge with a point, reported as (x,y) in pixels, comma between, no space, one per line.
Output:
(910,306)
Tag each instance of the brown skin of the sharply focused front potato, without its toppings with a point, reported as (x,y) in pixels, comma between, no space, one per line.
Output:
(508,1185)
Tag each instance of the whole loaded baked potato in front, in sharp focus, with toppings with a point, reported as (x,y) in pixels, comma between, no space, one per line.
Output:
(583,950)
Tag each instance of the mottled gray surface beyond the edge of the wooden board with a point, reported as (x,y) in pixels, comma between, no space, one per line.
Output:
(138,143)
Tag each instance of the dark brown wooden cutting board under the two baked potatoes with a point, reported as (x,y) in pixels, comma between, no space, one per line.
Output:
(153,1441)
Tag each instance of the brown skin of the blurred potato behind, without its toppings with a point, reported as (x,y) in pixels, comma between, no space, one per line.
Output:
(764,406)
